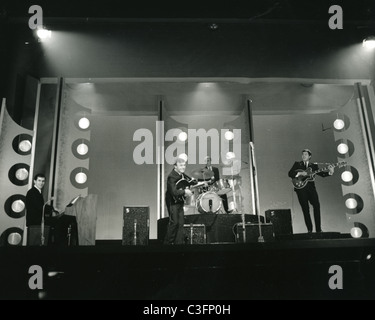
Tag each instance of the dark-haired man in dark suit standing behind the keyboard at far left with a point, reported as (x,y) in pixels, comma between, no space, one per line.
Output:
(35,202)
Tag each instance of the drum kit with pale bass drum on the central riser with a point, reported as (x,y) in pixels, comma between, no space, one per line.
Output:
(207,198)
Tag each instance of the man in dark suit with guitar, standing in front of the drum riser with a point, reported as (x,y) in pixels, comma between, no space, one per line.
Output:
(175,204)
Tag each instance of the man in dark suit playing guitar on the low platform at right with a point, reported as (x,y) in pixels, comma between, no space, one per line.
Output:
(308,193)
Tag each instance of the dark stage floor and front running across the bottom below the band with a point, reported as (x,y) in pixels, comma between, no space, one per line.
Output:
(283,269)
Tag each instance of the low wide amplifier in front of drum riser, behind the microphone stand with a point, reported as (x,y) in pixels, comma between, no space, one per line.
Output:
(252,232)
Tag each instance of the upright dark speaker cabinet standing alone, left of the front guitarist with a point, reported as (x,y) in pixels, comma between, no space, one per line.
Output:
(136,225)
